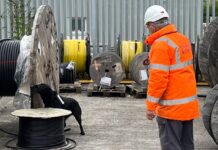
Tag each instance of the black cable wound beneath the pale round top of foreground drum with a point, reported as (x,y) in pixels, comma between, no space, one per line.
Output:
(41,133)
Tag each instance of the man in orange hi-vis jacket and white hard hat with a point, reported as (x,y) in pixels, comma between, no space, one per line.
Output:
(172,90)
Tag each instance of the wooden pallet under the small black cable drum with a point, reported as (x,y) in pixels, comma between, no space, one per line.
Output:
(74,87)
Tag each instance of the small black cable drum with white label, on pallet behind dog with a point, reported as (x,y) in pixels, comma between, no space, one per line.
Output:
(67,72)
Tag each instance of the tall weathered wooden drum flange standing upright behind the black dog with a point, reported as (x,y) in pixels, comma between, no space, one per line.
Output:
(44,53)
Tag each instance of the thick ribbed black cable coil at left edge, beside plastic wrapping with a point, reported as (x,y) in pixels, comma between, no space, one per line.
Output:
(9,51)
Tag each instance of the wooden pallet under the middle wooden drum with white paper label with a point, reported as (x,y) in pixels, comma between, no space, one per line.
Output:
(95,90)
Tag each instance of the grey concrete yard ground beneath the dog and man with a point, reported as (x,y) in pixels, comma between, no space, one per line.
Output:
(110,123)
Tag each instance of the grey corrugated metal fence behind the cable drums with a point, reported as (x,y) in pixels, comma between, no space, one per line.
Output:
(105,20)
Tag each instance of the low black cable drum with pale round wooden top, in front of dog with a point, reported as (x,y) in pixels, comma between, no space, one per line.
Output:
(41,128)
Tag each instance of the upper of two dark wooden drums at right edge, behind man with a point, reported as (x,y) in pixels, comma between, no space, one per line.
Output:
(208,53)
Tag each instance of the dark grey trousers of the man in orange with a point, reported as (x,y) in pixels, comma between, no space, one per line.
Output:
(175,135)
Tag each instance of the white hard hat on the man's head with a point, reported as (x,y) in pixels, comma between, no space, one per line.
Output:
(155,13)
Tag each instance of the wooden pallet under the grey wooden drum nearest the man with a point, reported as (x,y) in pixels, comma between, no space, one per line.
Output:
(137,91)
